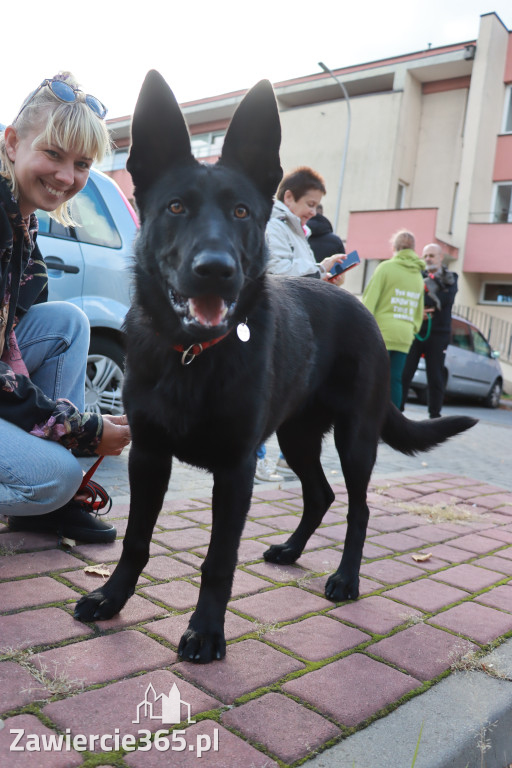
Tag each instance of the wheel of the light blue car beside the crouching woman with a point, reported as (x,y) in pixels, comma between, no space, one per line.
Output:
(104,378)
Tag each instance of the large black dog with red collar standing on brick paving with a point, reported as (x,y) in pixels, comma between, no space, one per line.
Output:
(198,389)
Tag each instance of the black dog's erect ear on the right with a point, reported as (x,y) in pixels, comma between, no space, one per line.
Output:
(253,138)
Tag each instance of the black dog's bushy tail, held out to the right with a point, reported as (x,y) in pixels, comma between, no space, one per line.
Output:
(411,437)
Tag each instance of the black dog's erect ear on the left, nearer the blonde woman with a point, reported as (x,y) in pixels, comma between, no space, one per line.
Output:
(160,137)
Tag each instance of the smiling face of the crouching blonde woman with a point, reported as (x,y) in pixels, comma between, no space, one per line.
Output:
(47,175)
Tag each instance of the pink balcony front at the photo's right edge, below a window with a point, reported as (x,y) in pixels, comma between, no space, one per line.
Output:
(489,248)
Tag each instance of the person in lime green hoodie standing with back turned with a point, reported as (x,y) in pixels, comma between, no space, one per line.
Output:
(394,296)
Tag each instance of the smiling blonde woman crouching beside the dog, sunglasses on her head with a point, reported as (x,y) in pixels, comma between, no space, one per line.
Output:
(45,158)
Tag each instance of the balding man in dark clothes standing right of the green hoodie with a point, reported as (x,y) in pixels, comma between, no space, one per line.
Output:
(435,333)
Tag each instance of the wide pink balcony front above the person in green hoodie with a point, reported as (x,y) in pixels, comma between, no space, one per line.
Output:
(370,232)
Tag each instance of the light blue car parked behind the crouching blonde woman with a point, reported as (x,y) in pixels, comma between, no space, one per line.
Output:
(89,266)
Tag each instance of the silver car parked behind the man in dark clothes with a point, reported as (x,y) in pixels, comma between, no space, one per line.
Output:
(471,367)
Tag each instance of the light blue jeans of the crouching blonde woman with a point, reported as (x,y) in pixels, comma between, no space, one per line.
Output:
(39,476)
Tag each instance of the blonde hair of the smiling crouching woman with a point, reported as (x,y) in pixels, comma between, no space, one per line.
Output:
(71,125)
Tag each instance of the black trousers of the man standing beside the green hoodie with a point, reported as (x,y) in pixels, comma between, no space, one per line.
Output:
(434,349)
